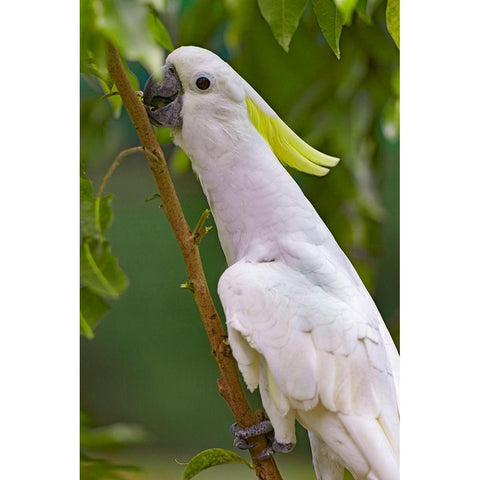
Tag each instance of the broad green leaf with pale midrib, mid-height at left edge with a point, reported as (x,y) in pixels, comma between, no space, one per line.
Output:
(99,269)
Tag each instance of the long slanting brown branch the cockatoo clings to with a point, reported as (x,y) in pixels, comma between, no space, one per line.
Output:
(229,383)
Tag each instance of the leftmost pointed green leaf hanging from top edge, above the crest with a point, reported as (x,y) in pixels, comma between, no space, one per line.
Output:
(283,17)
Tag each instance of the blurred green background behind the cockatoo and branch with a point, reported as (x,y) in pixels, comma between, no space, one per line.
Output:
(150,363)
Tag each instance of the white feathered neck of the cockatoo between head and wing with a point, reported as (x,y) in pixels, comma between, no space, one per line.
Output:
(254,200)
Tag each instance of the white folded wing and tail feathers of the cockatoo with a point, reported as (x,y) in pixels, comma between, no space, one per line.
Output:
(323,361)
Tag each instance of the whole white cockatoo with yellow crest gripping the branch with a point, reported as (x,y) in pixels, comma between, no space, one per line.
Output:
(301,324)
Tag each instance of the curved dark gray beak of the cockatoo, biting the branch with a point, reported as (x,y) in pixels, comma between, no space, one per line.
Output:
(163,100)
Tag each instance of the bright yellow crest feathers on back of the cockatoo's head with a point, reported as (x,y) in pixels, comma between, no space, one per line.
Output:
(287,146)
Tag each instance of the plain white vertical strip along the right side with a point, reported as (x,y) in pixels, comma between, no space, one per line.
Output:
(440,239)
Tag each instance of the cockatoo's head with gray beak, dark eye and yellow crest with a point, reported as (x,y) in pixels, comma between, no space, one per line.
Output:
(196,81)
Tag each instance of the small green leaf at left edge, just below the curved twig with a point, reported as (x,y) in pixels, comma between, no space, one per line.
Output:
(95,212)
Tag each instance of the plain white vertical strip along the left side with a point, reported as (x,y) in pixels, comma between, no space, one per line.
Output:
(39,266)
